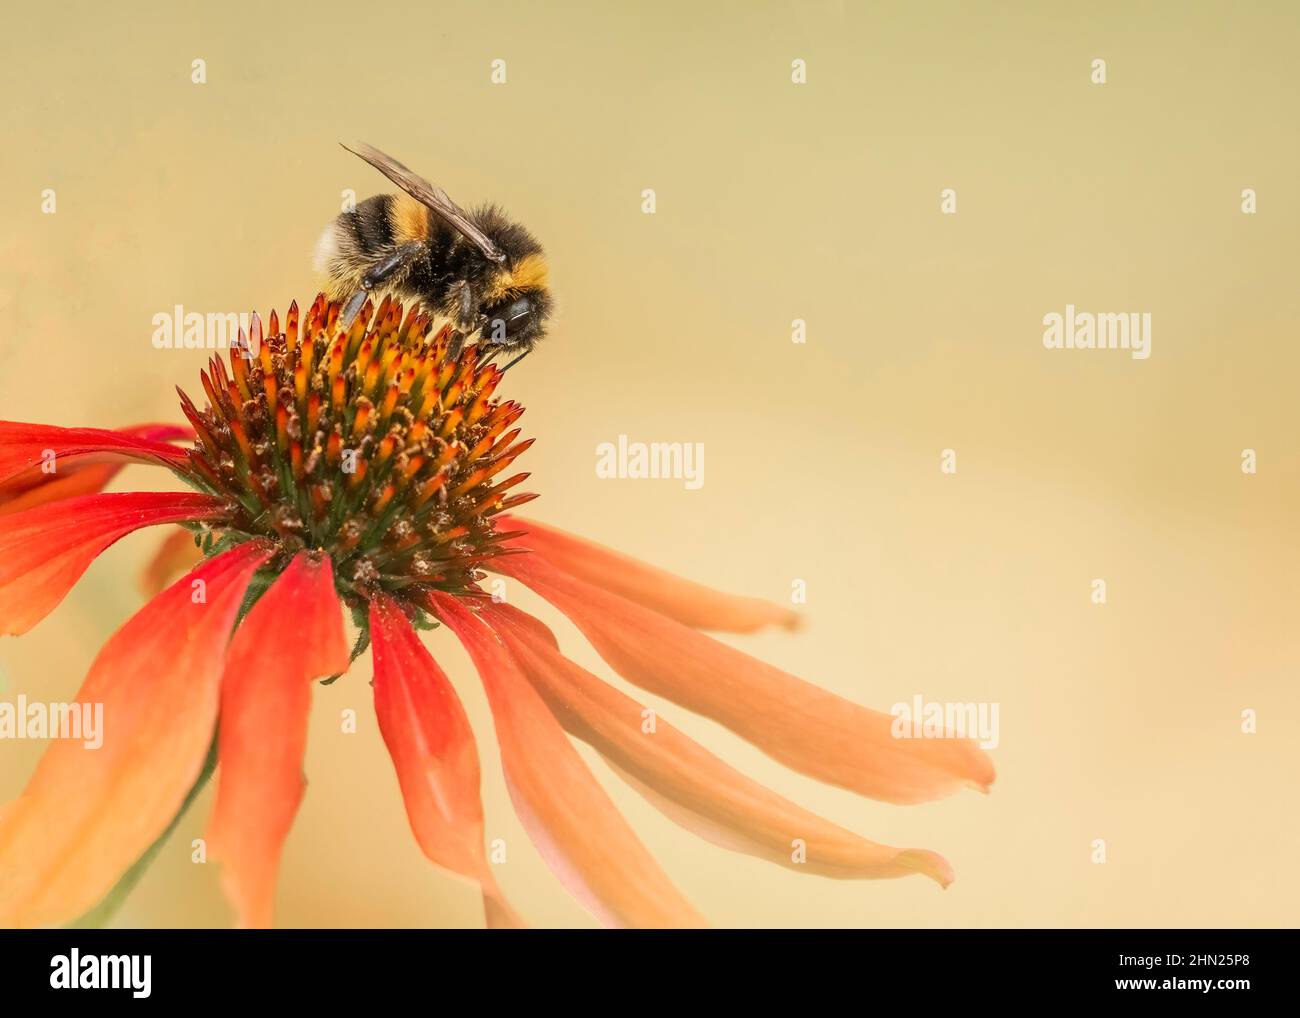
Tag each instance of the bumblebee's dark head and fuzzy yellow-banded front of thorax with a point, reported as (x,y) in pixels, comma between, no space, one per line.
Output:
(517,302)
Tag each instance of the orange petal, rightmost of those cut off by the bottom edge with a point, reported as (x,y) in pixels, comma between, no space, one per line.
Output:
(571,820)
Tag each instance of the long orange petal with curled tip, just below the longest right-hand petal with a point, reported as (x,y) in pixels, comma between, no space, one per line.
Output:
(692,786)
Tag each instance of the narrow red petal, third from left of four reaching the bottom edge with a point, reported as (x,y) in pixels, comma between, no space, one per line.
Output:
(434,752)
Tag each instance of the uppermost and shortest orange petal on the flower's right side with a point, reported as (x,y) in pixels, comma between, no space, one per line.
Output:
(653,588)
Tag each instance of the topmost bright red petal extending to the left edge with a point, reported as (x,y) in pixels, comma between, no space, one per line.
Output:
(24,447)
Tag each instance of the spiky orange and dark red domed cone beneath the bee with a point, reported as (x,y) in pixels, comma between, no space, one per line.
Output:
(382,447)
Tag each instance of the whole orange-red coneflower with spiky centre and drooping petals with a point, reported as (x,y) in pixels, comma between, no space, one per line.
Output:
(371,471)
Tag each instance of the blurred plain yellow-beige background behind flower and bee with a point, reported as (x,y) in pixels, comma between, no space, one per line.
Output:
(775,202)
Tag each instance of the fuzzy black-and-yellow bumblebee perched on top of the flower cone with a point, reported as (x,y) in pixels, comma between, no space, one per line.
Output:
(483,272)
